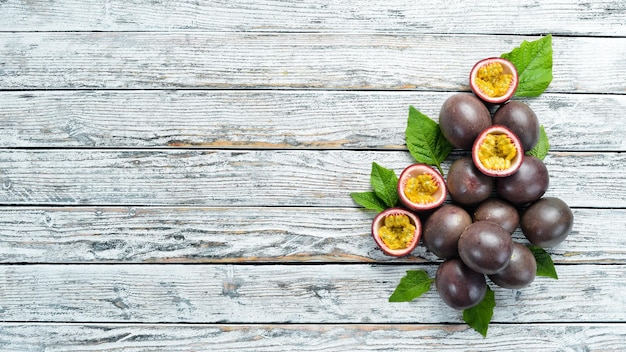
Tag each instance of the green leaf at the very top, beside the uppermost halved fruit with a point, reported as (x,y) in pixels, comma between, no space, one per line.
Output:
(533,61)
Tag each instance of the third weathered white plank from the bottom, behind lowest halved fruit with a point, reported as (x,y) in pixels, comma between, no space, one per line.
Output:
(246,235)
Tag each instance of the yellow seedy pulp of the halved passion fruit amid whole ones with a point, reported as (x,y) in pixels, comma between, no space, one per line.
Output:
(497,151)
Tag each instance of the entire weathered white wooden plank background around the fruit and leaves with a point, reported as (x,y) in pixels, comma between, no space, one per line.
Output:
(175,174)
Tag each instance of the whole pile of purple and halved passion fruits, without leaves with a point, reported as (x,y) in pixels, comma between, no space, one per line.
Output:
(493,192)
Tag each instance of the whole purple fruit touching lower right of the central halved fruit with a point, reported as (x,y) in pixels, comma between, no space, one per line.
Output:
(527,185)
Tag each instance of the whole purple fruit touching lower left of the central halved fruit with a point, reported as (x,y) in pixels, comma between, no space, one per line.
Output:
(466,184)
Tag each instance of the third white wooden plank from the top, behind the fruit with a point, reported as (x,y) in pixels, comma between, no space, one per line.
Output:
(282,119)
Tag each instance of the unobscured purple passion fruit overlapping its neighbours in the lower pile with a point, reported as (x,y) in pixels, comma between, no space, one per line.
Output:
(485,247)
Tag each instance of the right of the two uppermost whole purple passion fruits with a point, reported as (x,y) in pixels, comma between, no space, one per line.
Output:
(522,120)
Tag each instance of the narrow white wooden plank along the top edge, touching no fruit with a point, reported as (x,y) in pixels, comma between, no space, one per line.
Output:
(571,17)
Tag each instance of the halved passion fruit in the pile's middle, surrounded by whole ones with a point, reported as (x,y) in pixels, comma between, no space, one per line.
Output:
(497,152)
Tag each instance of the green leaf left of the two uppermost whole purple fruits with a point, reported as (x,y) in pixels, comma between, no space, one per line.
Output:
(425,140)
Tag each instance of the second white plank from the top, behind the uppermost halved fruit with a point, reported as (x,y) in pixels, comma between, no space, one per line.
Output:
(141,60)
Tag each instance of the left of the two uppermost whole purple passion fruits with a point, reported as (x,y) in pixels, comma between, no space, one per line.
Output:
(461,118)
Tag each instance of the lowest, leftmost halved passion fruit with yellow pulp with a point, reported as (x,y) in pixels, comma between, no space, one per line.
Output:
(396,231)
